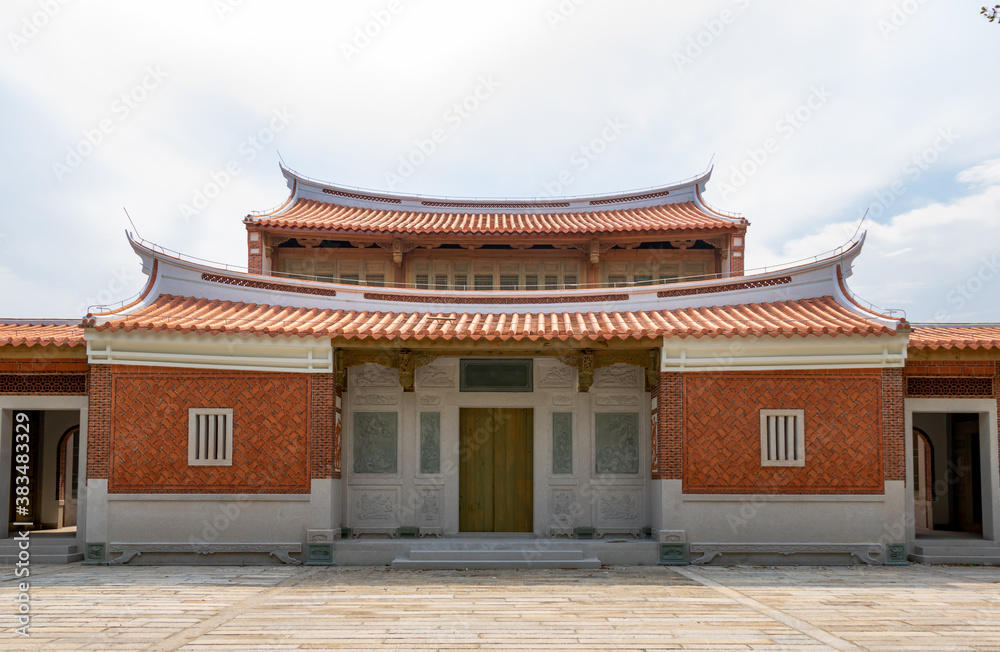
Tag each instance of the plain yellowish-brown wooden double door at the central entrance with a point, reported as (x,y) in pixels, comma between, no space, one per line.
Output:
(496,487)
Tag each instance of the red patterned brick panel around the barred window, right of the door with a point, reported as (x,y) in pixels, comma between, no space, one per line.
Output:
(842,430)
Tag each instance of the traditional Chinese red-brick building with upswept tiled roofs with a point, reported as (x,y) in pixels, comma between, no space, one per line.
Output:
(432,382)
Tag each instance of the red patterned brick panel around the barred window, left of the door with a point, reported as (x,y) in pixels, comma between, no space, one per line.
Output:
(271,433)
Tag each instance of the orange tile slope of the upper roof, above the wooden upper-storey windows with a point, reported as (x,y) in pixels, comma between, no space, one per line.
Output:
(310,214)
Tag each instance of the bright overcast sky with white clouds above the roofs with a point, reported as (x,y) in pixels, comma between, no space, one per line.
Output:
(813,112)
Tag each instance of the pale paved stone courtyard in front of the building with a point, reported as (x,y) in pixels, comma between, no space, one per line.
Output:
(618,608)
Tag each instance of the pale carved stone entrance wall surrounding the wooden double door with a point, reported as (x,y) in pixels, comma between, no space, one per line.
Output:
(553,392)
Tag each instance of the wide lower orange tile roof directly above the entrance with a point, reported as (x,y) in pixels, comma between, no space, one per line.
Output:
(823,316)
